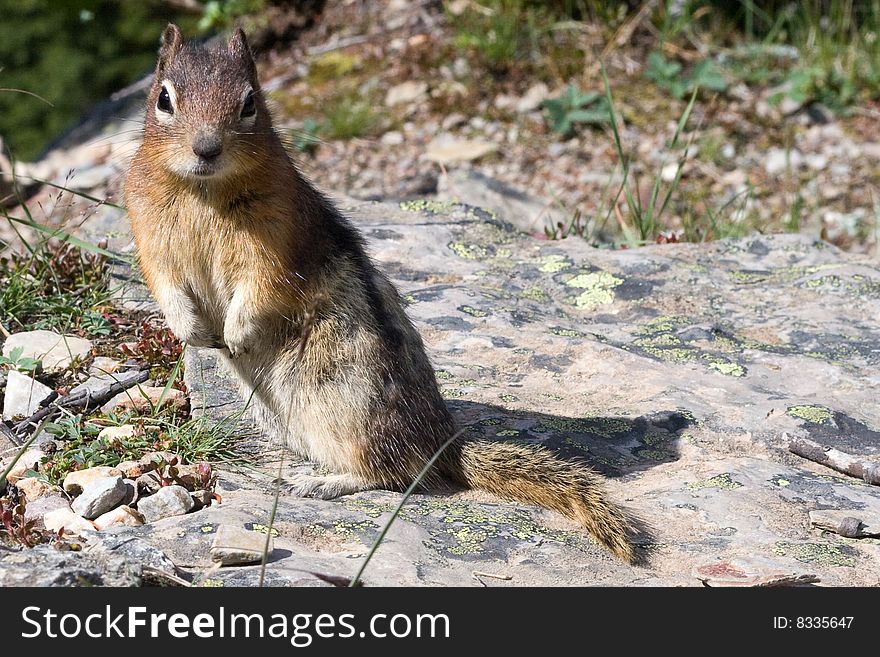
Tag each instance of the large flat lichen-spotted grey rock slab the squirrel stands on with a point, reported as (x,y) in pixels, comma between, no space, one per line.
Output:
(676,370)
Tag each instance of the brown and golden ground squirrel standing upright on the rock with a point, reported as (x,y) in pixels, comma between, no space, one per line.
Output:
(245,256)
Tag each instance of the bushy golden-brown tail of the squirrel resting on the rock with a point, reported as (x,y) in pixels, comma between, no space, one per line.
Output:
(533,475)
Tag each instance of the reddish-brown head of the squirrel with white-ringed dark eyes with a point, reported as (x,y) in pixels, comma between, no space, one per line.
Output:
(205,116)
